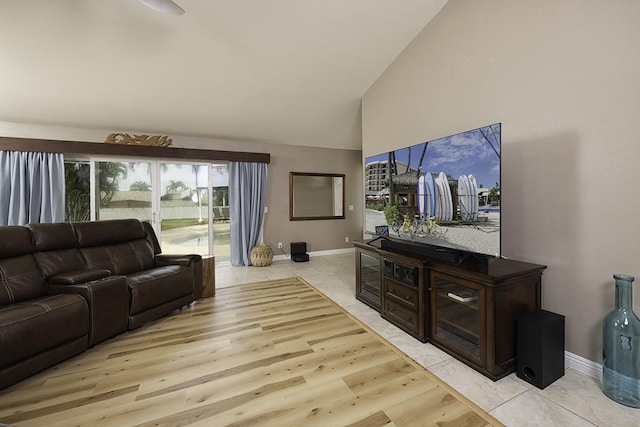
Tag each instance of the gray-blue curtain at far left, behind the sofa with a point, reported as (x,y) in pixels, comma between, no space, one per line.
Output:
(31,187)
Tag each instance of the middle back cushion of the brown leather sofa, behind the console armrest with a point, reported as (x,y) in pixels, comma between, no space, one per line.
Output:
(56,249)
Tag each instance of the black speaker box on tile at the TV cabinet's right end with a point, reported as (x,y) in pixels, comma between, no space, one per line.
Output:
(540,347)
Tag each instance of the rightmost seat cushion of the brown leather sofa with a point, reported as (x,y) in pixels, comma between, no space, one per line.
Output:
(157,286)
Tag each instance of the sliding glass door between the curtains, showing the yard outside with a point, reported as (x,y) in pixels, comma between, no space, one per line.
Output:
(187,203)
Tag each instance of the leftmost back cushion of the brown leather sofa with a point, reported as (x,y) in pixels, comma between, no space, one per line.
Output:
(20,277)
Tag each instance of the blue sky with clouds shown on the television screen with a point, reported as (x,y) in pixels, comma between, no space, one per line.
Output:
(461,154)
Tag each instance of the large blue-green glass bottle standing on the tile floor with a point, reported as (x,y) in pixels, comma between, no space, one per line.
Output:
(621,347)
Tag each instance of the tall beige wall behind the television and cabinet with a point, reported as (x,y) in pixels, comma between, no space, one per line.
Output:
(563,77)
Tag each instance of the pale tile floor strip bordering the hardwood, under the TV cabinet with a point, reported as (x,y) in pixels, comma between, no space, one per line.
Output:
(573,400)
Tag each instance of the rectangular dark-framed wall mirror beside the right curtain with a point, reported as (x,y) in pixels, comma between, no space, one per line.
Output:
(316,196)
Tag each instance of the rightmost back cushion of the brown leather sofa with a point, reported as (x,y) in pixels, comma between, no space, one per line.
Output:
(118,245)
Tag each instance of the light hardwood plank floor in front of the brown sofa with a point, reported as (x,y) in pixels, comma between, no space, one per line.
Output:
(275,353)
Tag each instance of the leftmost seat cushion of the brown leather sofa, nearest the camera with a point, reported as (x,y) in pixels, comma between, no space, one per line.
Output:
(29,328)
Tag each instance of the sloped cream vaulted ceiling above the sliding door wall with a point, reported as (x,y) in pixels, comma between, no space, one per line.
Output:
(281,71)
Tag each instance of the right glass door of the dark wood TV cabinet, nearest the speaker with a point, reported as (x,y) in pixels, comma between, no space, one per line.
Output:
(457,318)
